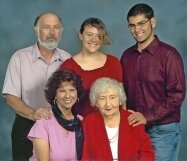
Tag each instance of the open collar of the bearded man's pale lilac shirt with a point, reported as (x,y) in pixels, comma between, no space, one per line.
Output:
(37,55)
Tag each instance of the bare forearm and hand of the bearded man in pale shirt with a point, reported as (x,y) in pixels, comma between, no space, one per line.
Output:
(26,111)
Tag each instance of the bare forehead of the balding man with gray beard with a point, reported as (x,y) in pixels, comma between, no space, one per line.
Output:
(49,19)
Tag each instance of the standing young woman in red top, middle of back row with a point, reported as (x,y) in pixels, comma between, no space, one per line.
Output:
(90,63)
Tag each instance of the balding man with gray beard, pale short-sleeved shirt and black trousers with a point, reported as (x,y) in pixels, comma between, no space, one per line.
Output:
(26,77)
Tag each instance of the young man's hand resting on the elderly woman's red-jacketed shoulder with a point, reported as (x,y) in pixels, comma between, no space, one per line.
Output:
(136,118)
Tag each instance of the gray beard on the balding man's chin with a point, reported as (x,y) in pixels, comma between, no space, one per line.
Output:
(48,44)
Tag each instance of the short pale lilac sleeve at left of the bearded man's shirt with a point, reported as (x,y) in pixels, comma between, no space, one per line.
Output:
(12,83)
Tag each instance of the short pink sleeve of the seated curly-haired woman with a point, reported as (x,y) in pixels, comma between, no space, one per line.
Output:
(39,130)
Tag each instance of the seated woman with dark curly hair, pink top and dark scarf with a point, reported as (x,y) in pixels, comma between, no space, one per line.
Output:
(60,137)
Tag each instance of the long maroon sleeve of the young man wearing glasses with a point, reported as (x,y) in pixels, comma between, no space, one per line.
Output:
(175,88)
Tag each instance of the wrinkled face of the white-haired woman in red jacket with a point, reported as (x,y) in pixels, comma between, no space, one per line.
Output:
(108,102)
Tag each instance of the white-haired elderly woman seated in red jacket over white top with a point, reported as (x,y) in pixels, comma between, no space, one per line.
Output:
(108,135)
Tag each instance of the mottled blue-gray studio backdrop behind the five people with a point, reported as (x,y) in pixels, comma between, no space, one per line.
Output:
(16,31)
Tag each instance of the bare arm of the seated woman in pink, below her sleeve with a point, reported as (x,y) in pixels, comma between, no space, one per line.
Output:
(41,148)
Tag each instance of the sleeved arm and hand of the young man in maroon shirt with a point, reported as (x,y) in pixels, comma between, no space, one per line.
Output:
(172,93)
